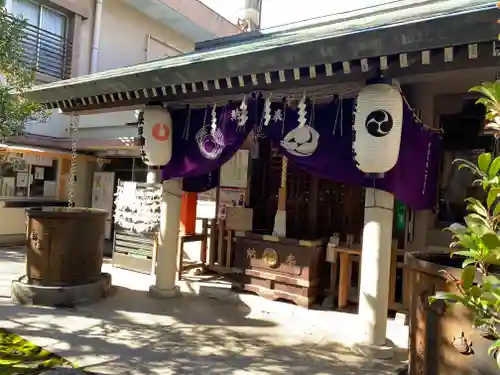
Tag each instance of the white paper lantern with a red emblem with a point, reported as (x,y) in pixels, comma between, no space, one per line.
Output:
(157,132)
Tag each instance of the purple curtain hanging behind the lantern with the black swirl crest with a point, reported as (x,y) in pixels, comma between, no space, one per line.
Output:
(414,178)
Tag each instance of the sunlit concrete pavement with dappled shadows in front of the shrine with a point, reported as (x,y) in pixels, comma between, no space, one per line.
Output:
(133,334)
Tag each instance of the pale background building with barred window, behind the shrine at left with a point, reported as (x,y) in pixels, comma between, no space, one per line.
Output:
(68,38)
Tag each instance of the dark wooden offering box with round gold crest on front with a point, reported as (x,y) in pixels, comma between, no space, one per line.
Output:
(279,268)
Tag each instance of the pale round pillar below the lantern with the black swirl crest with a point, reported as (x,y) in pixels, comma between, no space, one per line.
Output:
(375,267)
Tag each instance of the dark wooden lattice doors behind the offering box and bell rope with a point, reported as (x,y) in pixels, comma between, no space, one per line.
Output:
(315,207)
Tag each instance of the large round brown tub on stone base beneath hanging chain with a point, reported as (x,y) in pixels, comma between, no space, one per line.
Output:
(64,257)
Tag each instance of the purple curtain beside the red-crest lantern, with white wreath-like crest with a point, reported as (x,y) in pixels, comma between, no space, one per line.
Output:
(198,149)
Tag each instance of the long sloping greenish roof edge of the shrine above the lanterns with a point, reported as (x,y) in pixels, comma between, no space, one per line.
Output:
(401,29)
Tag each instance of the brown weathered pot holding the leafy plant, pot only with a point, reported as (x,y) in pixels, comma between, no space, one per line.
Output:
(442,338)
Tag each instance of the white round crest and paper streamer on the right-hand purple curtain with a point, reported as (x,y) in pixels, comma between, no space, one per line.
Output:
(304,139)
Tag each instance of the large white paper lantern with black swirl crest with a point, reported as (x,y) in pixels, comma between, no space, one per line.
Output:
(378,124)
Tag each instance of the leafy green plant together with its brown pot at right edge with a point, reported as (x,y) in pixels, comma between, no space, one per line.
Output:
(455,306)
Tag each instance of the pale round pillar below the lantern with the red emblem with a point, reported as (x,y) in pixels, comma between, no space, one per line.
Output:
(166,261)
